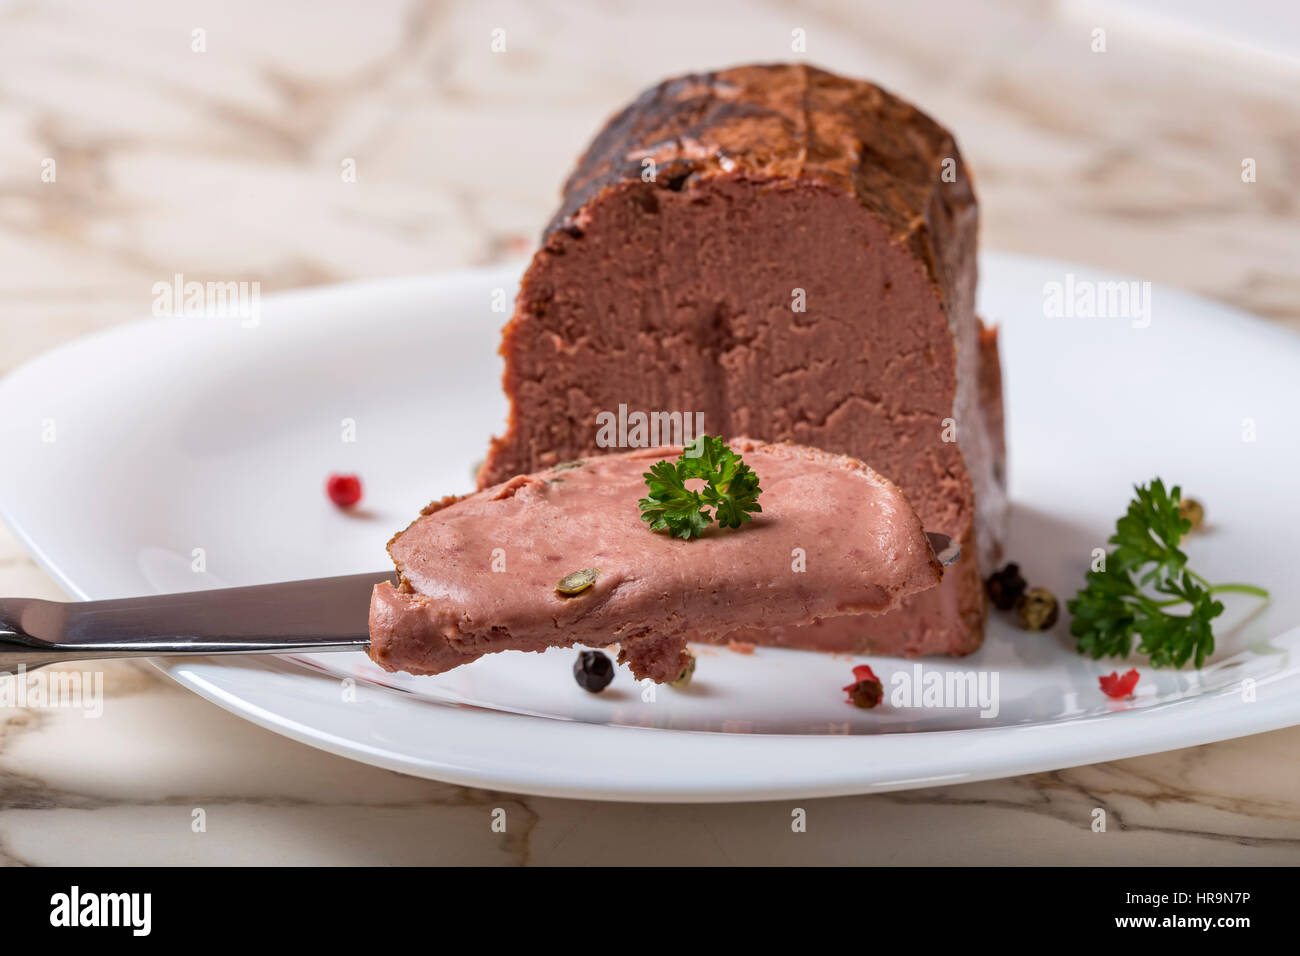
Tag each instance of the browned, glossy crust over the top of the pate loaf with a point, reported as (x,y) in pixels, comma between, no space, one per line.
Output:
(791,123)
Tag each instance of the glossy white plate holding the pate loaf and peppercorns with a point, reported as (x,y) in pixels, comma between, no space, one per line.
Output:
(174,435)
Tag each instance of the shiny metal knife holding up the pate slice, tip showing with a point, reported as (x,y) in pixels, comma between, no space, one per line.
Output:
(311,617)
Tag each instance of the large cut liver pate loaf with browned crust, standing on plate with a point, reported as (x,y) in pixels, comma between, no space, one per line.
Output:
(792,254)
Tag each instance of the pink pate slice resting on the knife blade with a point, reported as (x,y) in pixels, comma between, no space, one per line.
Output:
(479,574)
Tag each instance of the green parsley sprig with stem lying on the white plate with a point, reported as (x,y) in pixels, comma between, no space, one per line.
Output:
(1121,602)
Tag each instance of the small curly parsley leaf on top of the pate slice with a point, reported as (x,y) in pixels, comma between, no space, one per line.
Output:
(730,488)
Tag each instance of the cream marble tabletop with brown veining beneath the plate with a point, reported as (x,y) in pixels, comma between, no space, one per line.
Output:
(227,165)
